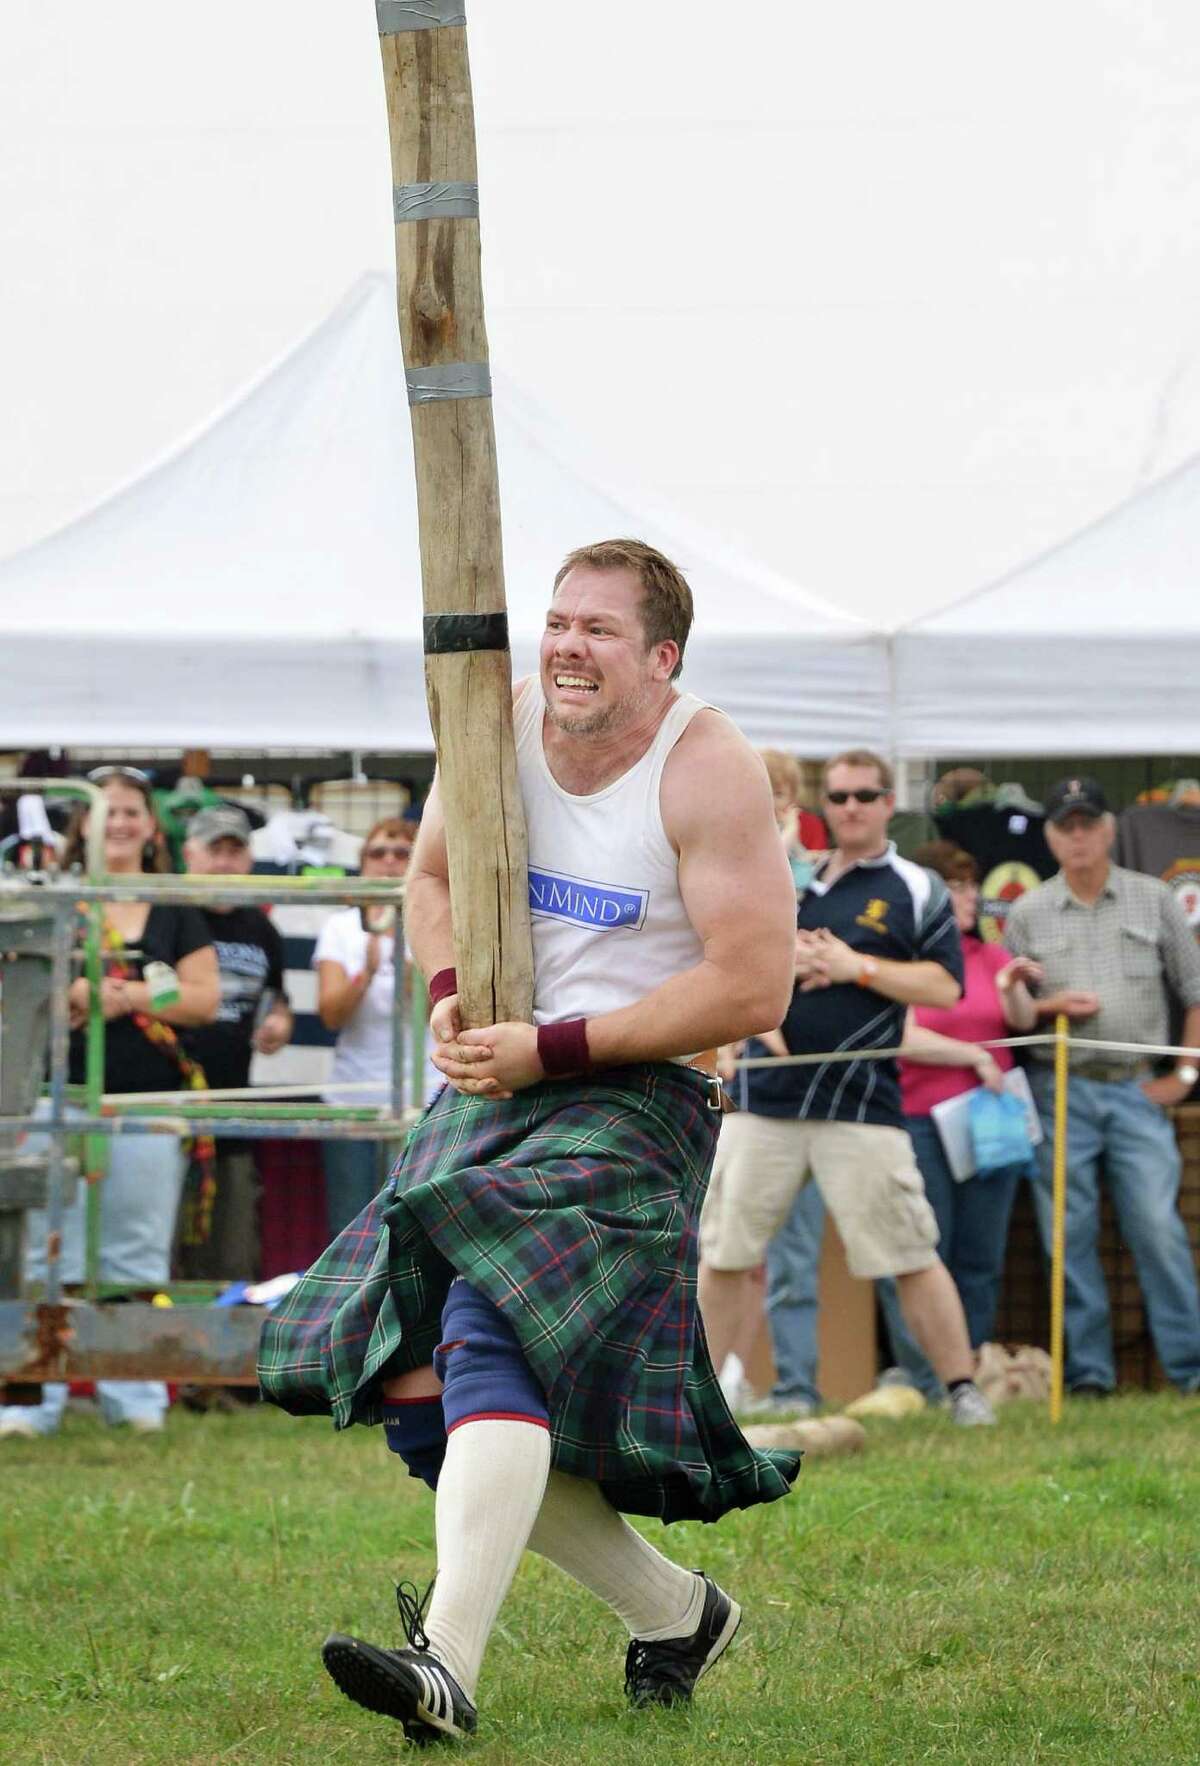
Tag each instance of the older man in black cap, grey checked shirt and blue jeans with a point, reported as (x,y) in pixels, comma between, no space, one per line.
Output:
(1113,944)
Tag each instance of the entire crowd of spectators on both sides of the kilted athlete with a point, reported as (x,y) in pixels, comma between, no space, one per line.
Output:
(1016,916)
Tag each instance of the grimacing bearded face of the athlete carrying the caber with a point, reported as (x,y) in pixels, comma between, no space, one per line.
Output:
(597,674)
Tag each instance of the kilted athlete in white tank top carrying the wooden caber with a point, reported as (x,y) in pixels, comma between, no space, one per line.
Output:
(518,1308)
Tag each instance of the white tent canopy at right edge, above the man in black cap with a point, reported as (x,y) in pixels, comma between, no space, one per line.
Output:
(1090,649)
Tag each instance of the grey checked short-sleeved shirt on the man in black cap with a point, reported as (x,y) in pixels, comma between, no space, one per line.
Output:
(1130,947)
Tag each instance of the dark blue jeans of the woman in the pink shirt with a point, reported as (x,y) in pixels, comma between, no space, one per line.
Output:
(973,1235)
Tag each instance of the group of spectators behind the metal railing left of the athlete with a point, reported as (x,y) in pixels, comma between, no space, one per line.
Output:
(190,995)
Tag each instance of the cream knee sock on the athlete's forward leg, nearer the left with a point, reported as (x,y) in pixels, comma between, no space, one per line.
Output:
(490,1493)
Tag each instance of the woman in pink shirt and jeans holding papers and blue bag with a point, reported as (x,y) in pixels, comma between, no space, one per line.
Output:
(943,1059)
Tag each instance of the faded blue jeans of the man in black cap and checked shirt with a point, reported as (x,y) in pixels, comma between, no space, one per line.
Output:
(1113,1124)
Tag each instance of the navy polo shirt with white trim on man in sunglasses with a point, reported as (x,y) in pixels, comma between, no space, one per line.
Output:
(885,909)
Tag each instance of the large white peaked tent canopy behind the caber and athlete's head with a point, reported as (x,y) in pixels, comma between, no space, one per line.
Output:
(260,589)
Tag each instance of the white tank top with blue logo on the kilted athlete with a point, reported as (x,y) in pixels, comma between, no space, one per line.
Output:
(610,925)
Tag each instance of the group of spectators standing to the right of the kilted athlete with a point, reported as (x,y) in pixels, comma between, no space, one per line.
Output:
(911,955)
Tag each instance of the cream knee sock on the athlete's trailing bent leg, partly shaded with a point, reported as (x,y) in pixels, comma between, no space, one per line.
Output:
(583,1534)
